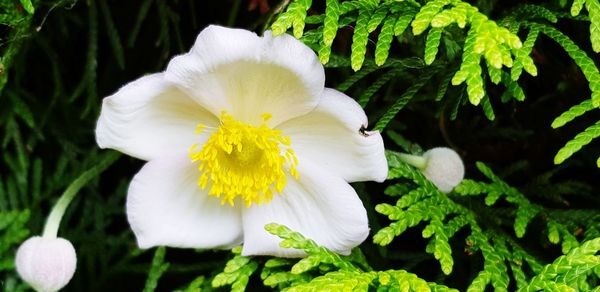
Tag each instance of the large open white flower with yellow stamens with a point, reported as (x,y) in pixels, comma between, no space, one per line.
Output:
(238,133)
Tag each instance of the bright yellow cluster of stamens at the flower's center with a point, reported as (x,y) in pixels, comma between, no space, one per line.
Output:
(246,161)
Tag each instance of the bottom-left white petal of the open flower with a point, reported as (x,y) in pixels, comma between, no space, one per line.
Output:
(165,206)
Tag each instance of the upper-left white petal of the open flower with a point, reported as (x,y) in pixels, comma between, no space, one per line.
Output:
(150,117)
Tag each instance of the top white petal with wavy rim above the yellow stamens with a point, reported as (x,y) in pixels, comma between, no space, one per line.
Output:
(236,71)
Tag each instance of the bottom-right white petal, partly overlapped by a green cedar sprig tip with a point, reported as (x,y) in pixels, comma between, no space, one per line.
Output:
(319,205)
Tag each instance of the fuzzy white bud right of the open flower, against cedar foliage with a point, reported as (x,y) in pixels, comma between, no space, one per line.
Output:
(444,168)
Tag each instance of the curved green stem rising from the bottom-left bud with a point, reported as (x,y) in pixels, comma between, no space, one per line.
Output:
(53,221)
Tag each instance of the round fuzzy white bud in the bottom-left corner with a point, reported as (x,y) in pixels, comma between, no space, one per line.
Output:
(47,264)
